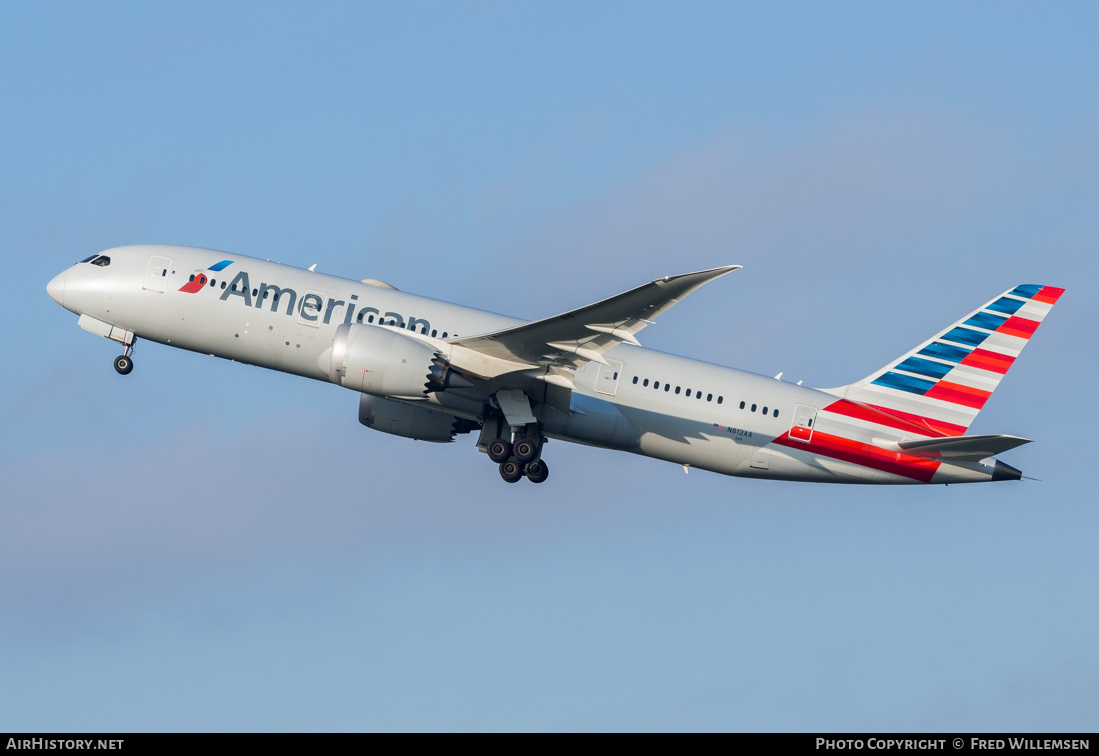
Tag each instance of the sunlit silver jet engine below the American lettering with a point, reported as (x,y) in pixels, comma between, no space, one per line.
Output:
(382,362)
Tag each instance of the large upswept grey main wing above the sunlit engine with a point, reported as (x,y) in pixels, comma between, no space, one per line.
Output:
(573,338)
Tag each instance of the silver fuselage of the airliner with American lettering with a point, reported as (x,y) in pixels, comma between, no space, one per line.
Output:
(643,402)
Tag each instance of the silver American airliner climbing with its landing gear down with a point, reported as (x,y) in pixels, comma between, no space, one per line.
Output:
(431,371)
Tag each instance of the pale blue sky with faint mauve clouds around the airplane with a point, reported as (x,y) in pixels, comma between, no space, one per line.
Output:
(209,547)
